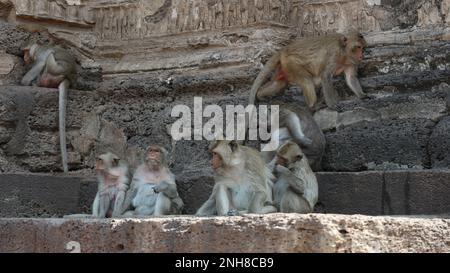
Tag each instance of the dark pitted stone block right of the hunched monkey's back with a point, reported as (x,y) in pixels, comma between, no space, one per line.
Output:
(402,142)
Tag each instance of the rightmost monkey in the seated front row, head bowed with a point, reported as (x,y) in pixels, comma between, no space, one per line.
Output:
(296,188)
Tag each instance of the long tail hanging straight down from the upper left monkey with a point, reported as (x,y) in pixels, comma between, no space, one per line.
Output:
(63,87)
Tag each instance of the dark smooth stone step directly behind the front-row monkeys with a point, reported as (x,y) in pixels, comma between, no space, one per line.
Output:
(369,193)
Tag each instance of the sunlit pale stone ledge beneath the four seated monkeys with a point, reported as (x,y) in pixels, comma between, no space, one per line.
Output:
(250,233)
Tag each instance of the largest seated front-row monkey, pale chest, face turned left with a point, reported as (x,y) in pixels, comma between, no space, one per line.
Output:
(243,182)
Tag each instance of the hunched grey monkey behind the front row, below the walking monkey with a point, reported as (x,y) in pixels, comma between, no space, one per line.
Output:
(297,124)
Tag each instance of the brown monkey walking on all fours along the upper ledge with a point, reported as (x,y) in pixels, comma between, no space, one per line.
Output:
(310,61)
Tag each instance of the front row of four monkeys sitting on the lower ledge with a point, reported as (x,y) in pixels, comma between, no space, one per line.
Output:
(244,183)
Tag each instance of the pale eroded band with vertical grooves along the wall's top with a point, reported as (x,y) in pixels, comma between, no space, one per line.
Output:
(114,21)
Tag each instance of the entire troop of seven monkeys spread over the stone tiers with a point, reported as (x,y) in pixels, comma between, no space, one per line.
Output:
(246,181)
